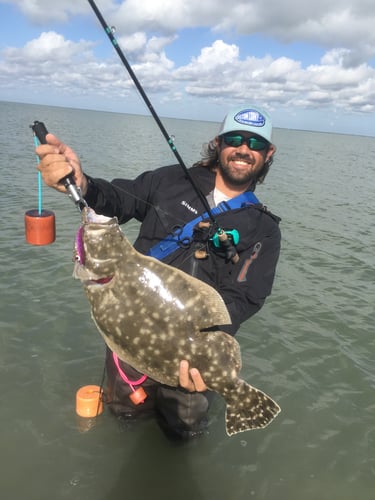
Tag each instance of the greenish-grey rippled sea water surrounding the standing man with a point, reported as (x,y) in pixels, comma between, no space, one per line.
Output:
(311,347)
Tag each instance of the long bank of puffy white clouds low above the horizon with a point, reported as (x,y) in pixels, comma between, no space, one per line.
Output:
(217,72)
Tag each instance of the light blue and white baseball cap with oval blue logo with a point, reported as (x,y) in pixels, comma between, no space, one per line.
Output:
(248,119)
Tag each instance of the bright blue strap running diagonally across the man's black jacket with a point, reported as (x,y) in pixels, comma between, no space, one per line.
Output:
(182,236)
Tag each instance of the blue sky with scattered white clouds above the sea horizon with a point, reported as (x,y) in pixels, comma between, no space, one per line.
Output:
(310,64)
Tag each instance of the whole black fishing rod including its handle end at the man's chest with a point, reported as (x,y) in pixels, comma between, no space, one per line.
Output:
(225,241)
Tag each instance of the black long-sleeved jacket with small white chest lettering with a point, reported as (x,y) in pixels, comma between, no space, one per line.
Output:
(163,199)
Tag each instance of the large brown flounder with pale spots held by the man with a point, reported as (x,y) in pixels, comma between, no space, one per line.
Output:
(151,314)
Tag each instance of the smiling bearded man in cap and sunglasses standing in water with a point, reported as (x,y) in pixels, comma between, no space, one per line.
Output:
(165,199)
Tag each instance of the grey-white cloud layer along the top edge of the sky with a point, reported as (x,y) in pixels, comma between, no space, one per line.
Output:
(334,24)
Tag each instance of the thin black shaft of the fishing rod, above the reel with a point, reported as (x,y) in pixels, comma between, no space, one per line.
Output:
(139,87)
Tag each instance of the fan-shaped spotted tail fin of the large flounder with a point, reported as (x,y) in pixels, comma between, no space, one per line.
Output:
(248,408)
